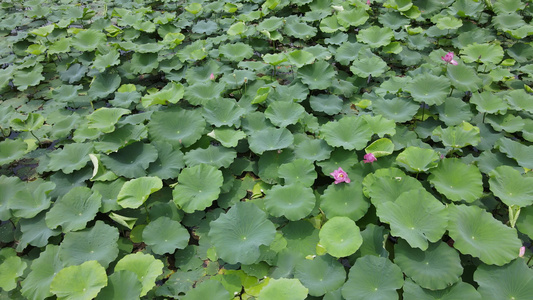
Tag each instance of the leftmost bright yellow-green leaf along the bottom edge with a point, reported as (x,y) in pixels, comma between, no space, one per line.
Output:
(81,282)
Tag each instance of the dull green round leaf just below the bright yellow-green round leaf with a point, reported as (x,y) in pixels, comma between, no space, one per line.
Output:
(320,275)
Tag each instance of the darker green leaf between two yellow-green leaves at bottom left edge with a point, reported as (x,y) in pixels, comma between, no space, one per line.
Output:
(121,285)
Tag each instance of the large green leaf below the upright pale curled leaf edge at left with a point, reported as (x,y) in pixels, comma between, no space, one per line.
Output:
(74,209)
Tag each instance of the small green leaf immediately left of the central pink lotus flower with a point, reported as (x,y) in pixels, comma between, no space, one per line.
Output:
(298,171)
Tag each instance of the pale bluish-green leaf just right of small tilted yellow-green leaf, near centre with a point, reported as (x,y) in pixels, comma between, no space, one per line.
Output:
(270,139)
